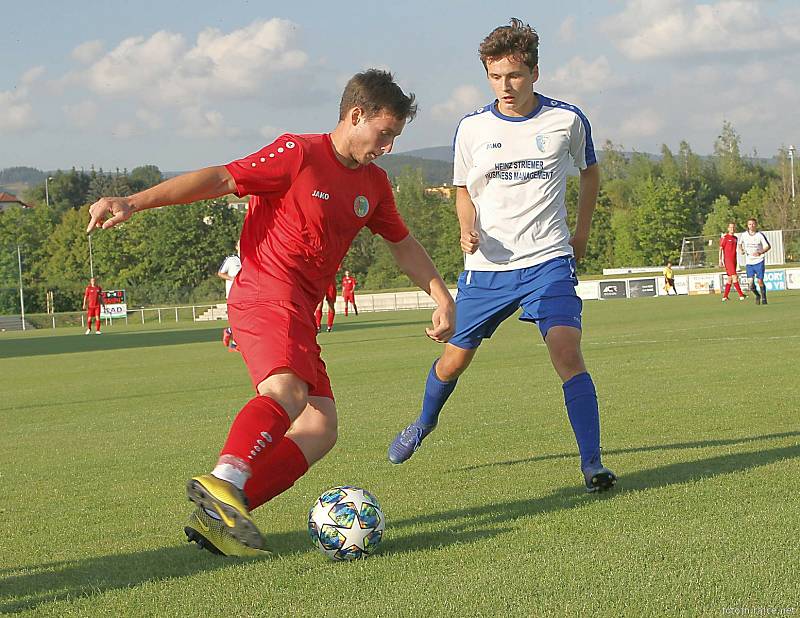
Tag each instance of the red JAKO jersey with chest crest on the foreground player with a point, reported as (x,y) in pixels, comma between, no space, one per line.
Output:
(306,209)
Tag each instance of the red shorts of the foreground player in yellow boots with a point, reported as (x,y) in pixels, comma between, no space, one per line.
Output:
(276,334)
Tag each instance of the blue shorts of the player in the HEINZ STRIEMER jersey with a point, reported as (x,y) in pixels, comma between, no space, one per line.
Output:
(546,293)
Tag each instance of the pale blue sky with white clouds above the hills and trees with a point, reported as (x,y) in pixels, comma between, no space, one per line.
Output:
(187,84)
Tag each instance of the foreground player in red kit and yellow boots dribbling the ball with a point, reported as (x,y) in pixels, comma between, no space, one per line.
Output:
(311,195)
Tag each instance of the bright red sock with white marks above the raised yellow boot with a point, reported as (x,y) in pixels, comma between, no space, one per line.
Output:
(256,430)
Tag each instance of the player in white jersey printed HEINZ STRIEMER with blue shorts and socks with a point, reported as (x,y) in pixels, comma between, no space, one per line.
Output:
(510,170)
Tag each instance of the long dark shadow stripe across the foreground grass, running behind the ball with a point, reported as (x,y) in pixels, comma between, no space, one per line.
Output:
(35,585)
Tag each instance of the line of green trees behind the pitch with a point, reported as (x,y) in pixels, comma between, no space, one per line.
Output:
(170,256)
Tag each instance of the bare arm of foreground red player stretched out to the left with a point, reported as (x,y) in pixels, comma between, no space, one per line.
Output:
(203,184)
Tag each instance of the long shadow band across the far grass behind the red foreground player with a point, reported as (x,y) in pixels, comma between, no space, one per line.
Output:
(64,344)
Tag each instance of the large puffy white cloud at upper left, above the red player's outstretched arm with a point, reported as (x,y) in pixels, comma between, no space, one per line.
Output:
(164,69)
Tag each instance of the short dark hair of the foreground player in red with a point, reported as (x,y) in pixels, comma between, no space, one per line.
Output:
(375,91)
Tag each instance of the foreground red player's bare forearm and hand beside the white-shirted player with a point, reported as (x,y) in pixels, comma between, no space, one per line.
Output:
(414,261)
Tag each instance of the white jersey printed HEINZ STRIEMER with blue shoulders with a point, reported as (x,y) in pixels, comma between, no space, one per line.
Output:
(515,170)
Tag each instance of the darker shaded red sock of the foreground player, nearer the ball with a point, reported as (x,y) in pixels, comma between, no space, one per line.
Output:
(275,473)
